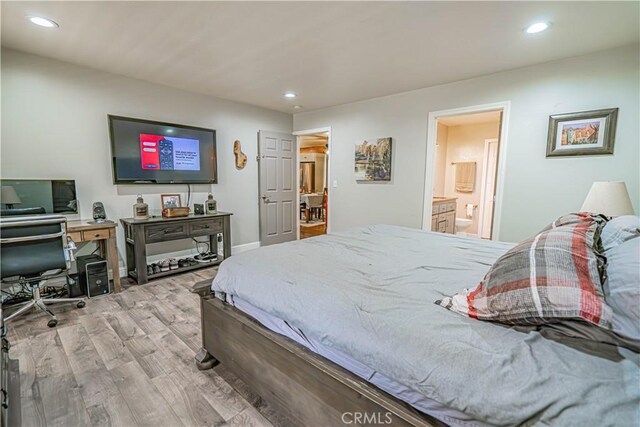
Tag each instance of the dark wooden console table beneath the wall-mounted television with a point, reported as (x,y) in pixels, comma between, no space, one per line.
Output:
(139,233)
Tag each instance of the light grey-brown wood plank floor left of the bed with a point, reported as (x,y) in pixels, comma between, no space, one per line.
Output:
(127,359)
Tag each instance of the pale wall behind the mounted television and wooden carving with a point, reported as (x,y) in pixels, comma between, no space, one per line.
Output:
(54,125)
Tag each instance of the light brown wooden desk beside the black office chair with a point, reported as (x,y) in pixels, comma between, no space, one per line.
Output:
(105,235)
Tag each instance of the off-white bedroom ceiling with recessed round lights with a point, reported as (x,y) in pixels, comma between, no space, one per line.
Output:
(327,52)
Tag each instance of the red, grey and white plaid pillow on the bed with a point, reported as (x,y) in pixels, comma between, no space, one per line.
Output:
(556,275)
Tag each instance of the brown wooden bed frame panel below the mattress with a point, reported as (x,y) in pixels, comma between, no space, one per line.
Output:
(308,388)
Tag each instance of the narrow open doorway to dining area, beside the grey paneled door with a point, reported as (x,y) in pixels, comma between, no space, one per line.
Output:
(313,184)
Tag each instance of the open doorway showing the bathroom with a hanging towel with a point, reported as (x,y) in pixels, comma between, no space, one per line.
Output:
(466,149)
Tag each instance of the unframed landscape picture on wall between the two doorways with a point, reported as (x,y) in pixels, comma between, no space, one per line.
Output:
(373,160)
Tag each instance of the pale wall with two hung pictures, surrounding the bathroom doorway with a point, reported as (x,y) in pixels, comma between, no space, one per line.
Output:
(536,189)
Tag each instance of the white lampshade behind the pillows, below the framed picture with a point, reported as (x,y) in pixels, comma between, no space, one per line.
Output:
(608,198)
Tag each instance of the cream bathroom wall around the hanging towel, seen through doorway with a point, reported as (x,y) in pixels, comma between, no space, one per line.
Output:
(465,143)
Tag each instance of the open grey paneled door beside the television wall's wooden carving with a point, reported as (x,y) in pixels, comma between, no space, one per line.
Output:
(277,174)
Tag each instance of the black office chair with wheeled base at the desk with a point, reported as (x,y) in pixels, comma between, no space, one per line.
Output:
(34,249)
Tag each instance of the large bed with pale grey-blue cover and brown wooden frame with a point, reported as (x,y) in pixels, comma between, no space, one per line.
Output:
(343,329)
